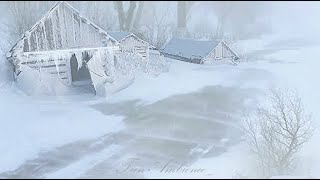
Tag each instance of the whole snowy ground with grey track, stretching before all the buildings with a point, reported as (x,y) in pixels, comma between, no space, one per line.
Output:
(189,114)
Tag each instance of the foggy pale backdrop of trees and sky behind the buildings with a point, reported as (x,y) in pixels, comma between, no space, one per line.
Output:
(157,22)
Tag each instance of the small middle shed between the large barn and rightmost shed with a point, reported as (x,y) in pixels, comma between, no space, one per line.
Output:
(132,42)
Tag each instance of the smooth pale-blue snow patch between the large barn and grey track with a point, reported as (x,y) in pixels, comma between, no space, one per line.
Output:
(29,126)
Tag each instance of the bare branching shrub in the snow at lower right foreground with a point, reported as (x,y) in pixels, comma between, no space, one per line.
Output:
(276,132)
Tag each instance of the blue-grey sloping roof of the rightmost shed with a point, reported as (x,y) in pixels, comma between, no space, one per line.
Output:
(189,48)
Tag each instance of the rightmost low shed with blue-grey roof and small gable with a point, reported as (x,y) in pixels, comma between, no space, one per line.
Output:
(198,51)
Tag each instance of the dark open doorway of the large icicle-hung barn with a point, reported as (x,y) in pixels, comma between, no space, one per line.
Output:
(81,76)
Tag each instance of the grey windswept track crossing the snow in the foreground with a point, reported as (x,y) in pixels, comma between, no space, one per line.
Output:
(169,129)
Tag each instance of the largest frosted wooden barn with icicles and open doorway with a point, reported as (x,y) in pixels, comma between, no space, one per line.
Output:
(61,43)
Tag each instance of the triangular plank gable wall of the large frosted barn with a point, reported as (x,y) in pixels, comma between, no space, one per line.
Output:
(62,28)
